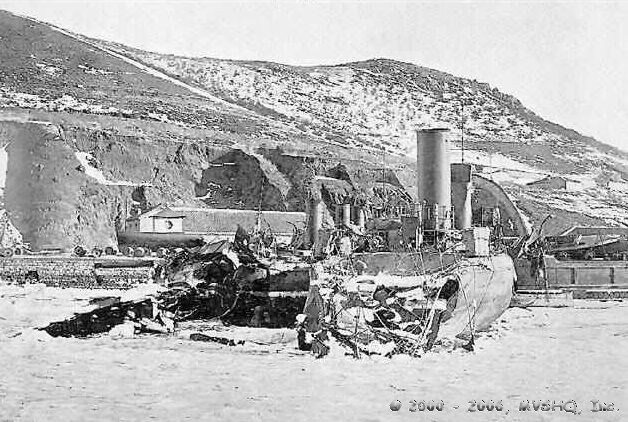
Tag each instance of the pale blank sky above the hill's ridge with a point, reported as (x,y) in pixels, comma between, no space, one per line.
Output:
(566,61)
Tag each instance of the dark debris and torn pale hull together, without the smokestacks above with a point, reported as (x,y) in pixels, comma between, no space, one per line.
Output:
(371,303)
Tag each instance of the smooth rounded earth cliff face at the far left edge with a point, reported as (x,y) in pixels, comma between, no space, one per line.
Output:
(48,197)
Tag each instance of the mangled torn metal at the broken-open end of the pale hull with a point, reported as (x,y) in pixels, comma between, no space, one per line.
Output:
(382,315)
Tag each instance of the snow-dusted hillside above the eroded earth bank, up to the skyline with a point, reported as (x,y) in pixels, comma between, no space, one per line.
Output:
(364,110)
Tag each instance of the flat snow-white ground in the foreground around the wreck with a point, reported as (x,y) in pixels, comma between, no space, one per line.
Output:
(557,354)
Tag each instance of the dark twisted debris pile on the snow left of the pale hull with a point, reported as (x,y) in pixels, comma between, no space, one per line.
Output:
(213,281)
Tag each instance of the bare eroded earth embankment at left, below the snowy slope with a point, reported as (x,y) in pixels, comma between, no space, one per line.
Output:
(74,183)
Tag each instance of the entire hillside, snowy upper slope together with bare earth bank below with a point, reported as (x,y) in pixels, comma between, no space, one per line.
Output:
(145,128)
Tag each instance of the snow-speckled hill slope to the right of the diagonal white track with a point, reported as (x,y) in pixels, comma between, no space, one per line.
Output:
(377,105)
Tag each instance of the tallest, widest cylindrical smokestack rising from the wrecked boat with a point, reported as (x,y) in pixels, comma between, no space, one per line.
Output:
(434,172)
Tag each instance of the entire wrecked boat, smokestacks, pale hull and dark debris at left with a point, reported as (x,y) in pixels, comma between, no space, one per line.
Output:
(396,284)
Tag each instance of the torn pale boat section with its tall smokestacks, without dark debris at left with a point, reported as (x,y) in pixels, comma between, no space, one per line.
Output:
(457,280)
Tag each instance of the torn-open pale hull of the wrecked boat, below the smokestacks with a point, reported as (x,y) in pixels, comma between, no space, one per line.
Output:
(391,314)
